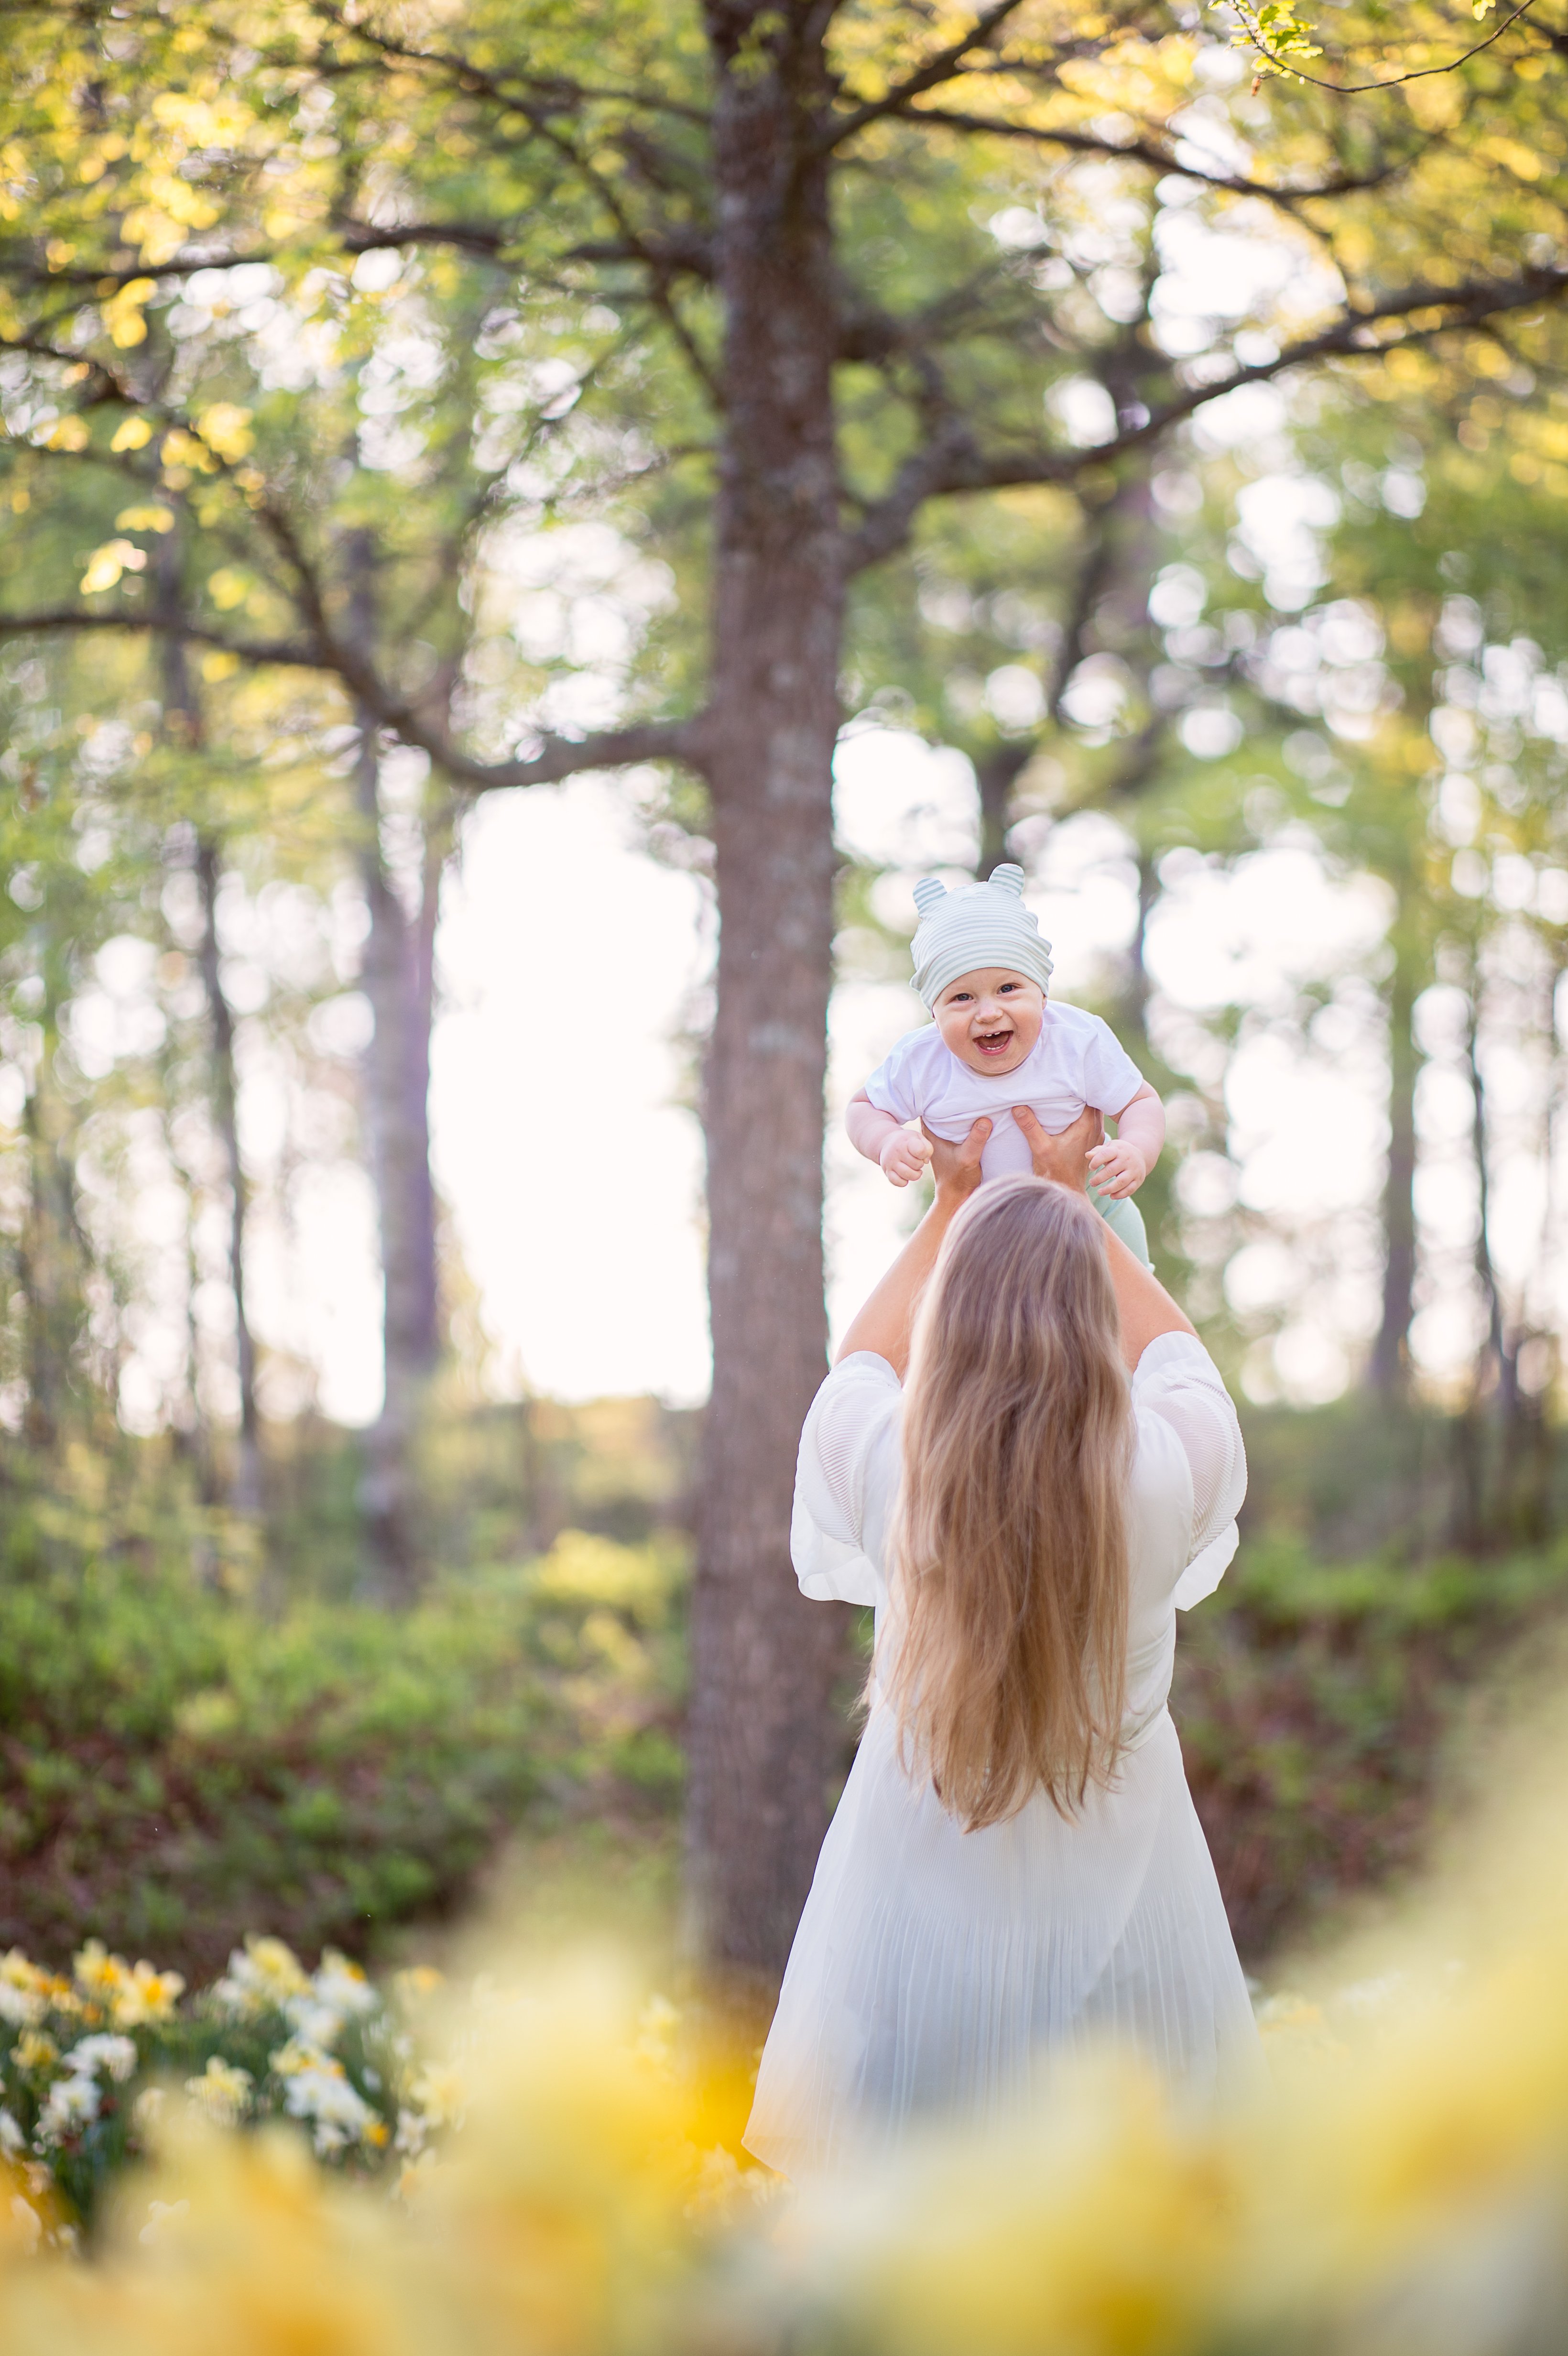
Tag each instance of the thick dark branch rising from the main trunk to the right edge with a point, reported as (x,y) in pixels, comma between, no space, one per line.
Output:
(952,461)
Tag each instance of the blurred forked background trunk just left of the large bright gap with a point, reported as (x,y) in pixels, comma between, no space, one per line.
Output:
(397,1111)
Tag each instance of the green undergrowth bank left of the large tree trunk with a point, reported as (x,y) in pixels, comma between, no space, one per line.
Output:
(178,1768)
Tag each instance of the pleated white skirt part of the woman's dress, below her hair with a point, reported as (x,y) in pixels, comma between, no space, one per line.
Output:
(945,1973)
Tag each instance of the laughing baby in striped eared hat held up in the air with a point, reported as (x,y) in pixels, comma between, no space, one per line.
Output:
(997,1043)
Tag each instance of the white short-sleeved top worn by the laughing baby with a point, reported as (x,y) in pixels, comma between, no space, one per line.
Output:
(1077,1061)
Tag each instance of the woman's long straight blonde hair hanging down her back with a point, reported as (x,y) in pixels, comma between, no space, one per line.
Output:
(1009,1643)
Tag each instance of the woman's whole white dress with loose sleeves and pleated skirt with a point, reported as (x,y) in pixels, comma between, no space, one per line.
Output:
(945,1971)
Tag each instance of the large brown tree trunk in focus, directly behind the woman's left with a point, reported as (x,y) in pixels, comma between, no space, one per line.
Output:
(764,1733)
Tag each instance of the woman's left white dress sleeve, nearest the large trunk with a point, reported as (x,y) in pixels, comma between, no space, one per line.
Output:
(844,1483)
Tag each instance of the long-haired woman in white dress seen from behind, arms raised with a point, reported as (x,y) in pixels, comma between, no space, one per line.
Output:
(1016,1867)
